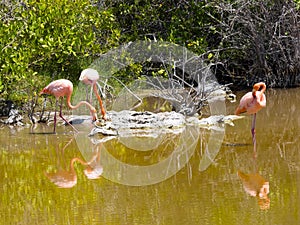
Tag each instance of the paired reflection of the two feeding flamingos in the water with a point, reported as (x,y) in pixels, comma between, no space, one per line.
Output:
(68,178)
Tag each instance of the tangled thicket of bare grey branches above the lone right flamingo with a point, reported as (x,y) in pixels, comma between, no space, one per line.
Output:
(261,41)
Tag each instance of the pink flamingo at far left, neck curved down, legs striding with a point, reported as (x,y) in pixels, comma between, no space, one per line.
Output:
(60,88)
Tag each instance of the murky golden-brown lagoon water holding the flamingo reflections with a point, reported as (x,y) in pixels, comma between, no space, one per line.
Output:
(227,191)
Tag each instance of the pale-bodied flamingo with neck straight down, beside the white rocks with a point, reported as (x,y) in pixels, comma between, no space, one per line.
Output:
(90,77)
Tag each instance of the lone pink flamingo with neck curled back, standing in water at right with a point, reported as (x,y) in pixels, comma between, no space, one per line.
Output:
(251,103)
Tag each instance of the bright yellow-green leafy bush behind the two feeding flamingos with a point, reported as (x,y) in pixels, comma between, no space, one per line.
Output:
(44,40)
